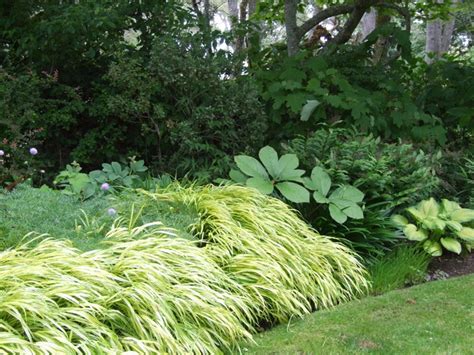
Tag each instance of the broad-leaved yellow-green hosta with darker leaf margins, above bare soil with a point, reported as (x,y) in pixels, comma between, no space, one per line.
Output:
(437,226)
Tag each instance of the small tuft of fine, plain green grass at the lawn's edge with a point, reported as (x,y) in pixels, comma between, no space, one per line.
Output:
(405,265)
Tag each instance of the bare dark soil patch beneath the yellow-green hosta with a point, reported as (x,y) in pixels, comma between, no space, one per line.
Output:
(451,265)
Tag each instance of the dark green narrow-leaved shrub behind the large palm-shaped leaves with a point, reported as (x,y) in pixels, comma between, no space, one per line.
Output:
(394,175)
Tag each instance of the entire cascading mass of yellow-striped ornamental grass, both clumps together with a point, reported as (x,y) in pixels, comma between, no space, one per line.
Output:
(245,259)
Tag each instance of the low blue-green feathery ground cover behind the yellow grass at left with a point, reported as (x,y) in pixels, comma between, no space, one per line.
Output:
(46,211)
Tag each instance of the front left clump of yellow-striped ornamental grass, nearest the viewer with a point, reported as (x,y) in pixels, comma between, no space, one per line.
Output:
(147,292)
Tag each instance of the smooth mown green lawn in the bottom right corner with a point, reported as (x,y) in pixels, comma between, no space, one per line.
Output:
(432,318)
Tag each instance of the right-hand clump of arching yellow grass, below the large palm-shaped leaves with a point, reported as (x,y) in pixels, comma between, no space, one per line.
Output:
(262,244)
